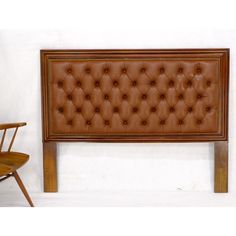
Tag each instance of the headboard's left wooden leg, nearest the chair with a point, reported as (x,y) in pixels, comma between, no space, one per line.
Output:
(50,166)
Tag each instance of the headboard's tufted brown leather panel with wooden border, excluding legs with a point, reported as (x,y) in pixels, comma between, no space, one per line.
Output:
(182,94)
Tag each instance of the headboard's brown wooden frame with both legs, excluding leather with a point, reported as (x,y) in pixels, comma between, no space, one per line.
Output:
(220,138)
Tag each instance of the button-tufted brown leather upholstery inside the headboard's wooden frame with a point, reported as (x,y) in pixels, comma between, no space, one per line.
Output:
(155,101)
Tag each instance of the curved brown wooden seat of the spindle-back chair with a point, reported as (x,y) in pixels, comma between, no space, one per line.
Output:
(12,160)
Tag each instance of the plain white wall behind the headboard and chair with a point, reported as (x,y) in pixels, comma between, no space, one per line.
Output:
(95,167)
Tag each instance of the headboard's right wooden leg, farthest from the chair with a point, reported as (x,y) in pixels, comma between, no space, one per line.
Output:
(221,167)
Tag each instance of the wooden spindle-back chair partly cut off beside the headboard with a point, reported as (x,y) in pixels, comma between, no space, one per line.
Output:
(10,161)
